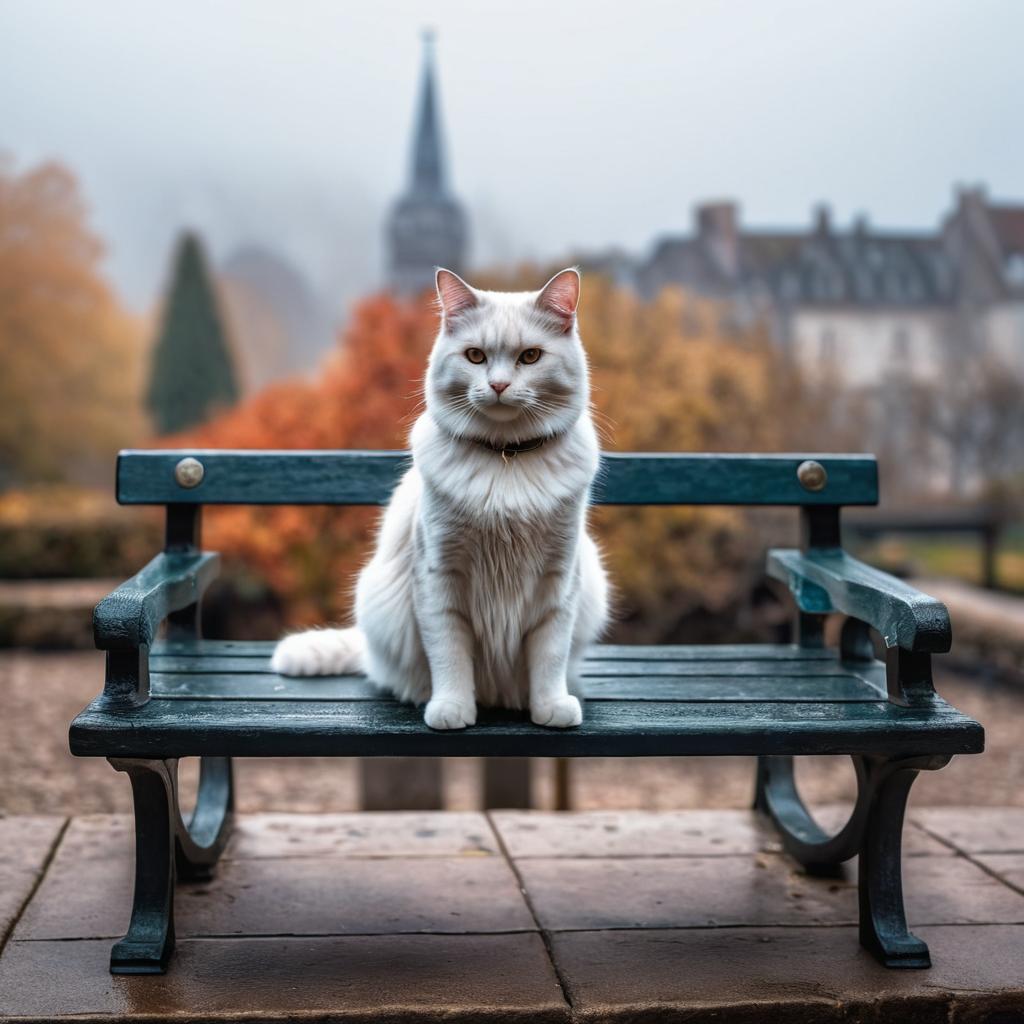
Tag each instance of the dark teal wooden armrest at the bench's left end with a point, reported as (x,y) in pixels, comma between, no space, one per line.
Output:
(130,618)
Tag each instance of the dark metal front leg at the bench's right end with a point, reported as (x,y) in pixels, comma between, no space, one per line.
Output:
(884,930)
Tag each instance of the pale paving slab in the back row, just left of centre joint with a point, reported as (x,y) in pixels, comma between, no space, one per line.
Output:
(364,835)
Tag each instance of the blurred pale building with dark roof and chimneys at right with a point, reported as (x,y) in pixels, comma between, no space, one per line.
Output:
(860,304)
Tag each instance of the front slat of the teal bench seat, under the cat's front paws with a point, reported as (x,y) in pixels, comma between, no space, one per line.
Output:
(611,729)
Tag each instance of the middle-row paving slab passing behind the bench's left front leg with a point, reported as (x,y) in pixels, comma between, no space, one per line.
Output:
(306,897)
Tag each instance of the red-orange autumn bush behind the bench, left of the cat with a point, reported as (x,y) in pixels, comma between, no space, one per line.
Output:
(366,396)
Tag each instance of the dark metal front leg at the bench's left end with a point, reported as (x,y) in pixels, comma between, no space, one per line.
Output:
(150,943)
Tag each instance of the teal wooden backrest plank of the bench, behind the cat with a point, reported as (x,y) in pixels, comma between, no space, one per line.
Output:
(369,479)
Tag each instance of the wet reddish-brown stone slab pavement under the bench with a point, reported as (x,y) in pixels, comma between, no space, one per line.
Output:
(537,917)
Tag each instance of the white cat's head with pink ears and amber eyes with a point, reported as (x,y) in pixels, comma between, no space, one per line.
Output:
(507,366)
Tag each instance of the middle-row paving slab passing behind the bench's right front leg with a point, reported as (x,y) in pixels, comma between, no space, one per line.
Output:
(763,890)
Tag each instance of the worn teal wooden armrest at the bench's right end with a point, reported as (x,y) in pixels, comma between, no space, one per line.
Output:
(830,580)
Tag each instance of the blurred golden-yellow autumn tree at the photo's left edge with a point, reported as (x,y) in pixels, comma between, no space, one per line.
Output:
(69,391)
